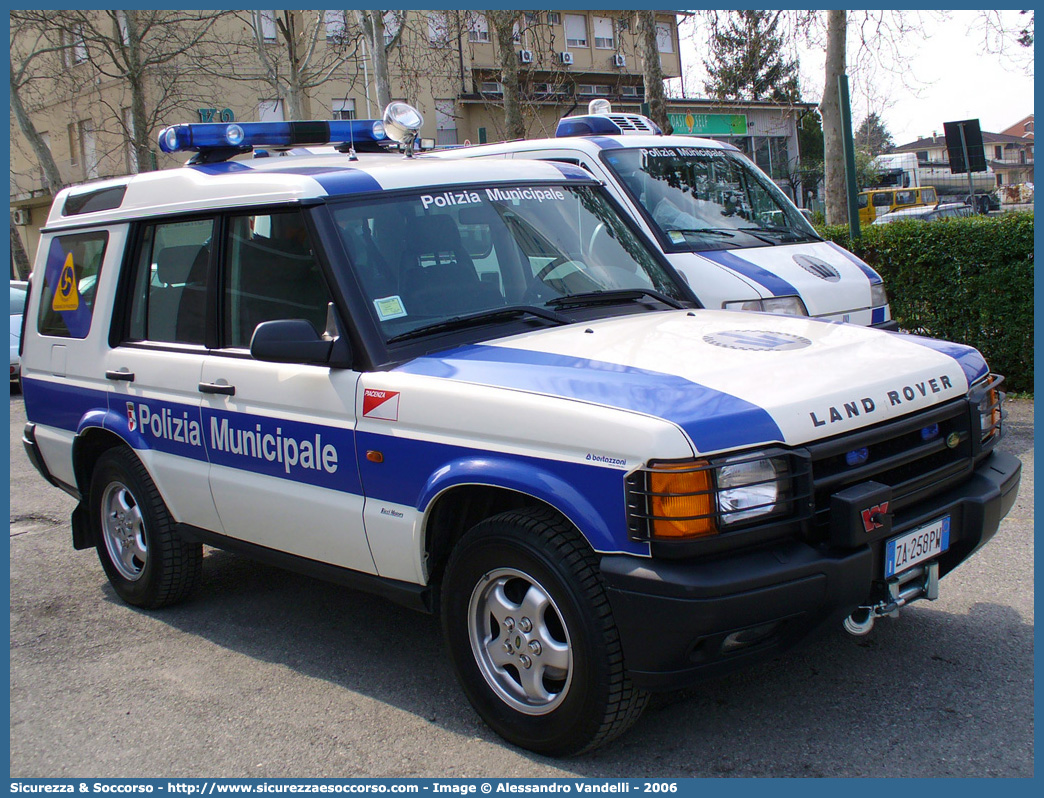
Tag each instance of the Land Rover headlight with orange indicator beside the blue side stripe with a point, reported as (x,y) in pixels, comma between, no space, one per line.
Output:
(697,499)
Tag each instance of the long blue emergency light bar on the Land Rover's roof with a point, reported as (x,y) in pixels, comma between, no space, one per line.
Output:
(187,138)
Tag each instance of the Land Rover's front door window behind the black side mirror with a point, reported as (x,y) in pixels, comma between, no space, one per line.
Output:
(271,274)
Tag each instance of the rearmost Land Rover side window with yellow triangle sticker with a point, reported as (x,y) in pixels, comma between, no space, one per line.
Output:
(70,281)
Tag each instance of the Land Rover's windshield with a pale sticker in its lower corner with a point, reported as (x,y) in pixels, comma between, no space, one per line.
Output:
(439,256)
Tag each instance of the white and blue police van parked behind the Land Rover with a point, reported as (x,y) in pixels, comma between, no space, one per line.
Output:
(720,221)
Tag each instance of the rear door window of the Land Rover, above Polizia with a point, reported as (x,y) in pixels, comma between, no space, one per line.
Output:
(169,303)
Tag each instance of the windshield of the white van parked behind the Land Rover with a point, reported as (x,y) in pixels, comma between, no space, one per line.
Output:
(704,199)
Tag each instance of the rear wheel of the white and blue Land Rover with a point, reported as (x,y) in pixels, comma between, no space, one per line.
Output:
(147,562)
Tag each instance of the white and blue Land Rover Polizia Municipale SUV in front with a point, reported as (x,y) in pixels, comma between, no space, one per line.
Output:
(473,388)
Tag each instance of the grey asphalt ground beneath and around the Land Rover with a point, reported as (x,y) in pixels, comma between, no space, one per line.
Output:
(269,674)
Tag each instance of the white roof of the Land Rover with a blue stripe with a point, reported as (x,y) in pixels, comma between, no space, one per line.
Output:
(274,180)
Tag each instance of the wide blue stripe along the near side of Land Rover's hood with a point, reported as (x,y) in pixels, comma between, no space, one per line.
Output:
(713,419)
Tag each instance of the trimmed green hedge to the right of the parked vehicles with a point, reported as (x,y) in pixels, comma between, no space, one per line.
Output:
(969,280)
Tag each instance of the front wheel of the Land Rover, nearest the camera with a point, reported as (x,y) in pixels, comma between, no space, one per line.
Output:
(532,637)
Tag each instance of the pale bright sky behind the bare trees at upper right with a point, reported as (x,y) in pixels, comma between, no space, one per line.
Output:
(946,77)
